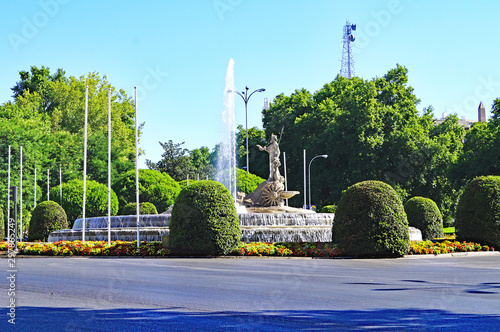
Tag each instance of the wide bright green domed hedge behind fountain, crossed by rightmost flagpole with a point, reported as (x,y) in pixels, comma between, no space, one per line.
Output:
(154,186)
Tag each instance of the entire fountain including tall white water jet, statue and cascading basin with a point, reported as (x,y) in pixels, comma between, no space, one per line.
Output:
(263,216)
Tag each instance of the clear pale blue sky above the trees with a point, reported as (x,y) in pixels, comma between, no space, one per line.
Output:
(177,52)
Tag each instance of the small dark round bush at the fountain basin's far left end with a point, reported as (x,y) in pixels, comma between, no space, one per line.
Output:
(48,216)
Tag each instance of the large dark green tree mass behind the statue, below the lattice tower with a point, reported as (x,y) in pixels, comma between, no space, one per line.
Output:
(370,129)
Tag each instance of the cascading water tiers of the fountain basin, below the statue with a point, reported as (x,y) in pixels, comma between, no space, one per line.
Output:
(255,227)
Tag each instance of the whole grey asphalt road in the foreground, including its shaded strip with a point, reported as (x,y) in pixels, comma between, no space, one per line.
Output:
(141,294)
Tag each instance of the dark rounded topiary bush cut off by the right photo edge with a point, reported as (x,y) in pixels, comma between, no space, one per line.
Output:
(478,211)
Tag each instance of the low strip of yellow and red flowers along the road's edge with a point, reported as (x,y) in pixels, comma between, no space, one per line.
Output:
(306,249)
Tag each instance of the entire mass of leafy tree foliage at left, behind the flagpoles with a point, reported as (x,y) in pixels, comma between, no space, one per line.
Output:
(46,118)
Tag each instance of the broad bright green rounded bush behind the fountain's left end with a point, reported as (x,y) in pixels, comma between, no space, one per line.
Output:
(96,199)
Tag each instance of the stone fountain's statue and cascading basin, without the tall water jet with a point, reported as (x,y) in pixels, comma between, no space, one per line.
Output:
(266,219)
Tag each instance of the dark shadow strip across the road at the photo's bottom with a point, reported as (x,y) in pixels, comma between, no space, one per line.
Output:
(177,319)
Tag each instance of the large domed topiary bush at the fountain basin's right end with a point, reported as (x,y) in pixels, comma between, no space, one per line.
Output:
(370,221)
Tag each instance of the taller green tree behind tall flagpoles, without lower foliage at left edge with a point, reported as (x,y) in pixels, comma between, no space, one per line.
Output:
(60,101)
